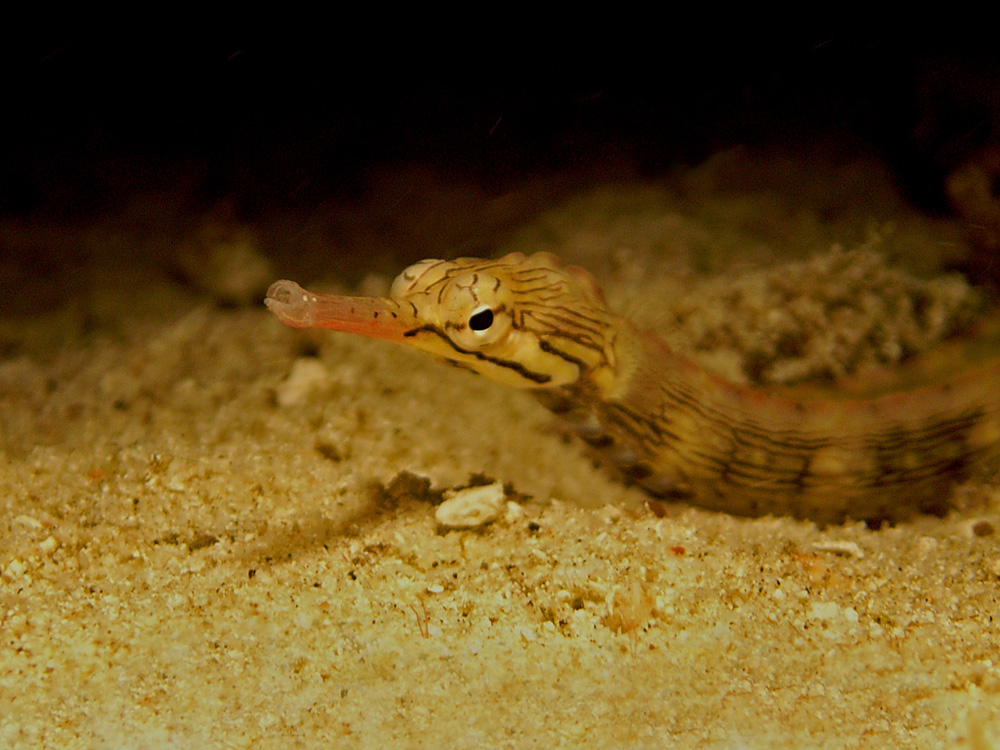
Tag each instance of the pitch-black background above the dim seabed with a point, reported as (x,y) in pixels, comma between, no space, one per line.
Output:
(282,118)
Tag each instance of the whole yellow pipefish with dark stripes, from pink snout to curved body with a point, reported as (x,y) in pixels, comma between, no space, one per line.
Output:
(662,421)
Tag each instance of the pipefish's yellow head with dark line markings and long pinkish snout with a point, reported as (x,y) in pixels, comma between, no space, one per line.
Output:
(525,321)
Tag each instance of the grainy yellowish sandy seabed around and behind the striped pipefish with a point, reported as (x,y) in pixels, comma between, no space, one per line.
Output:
(219,532)
